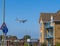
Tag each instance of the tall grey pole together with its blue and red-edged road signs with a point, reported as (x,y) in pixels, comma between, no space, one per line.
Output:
(3,27)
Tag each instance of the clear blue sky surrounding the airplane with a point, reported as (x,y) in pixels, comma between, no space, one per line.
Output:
(26,9)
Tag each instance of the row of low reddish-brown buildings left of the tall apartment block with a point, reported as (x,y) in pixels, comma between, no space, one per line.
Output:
(14,41)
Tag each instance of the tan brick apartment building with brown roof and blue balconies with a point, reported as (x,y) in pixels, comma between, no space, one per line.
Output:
(50,28)
